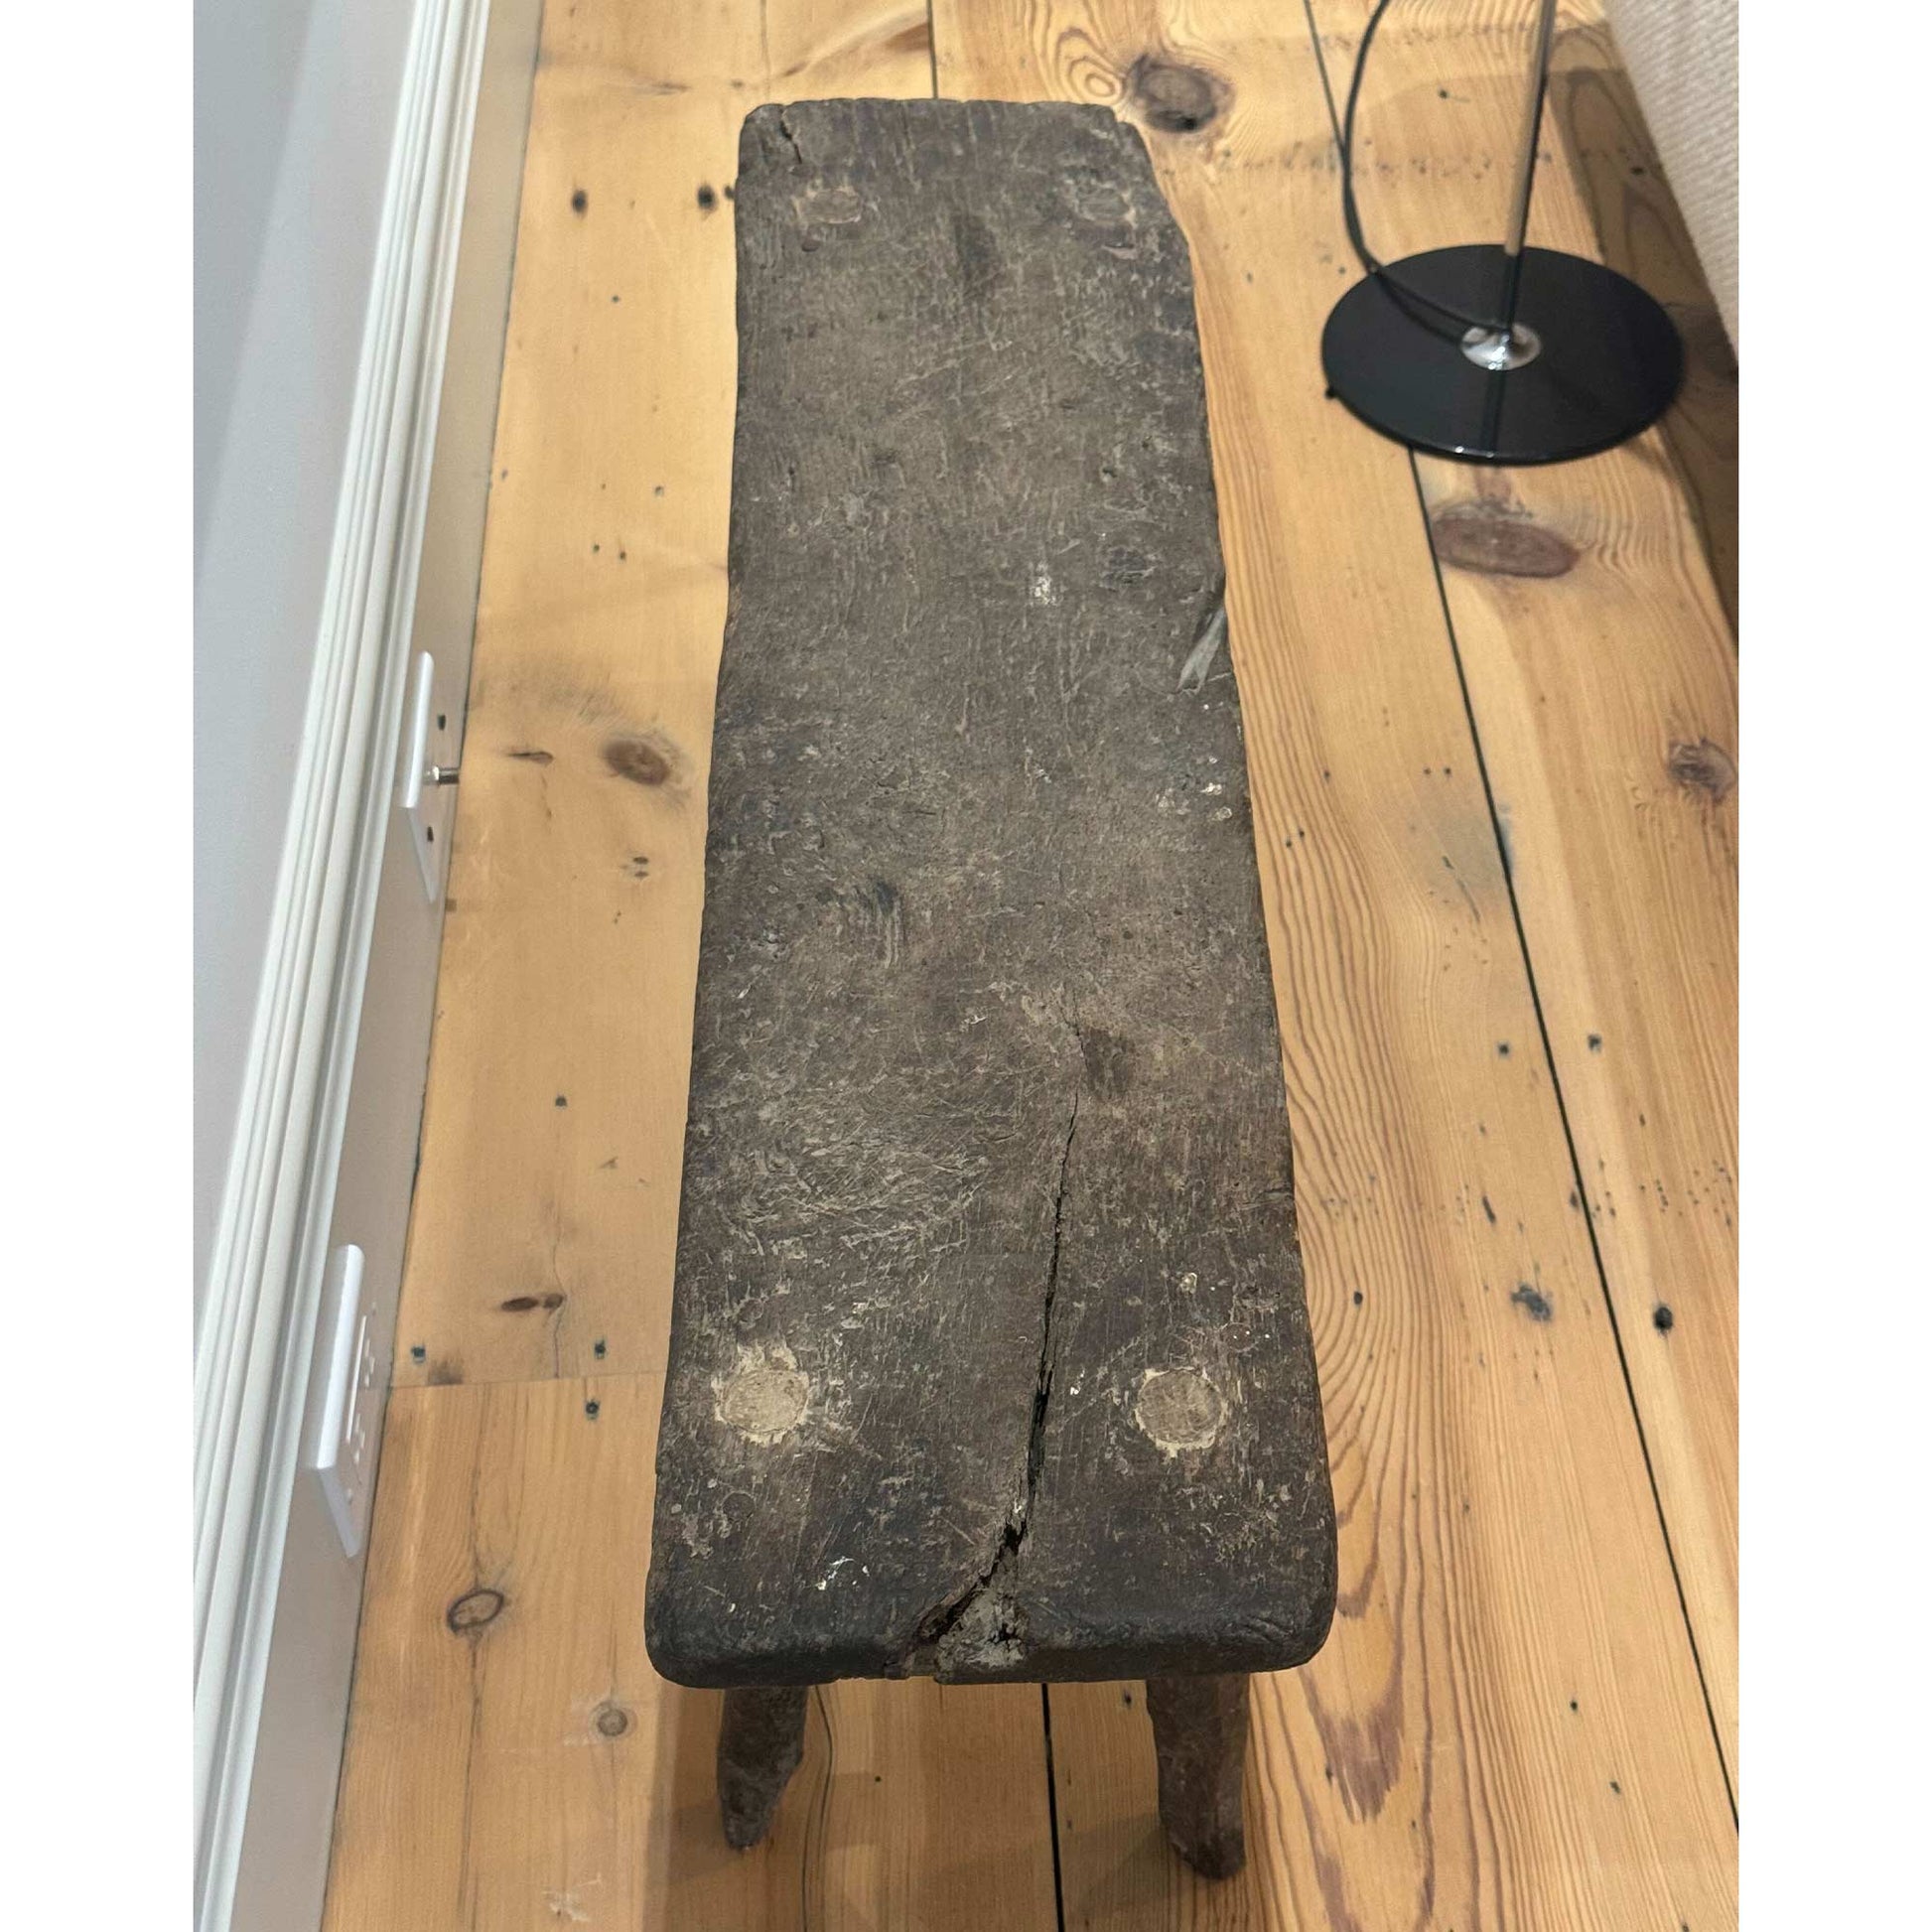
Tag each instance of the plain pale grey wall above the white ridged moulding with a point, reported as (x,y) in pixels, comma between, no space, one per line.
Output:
(295,128)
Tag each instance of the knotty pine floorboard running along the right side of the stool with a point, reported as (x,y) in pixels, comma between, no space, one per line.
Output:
(1506,1726)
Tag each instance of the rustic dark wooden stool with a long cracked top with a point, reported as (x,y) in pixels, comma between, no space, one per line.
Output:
(990,1357)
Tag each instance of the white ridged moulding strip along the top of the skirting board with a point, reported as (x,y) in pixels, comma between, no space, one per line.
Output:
(252,1353)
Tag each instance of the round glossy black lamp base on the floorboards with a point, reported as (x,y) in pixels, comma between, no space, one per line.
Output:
(1595,360)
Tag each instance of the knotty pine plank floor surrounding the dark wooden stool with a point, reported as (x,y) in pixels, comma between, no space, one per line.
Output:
(1496,820)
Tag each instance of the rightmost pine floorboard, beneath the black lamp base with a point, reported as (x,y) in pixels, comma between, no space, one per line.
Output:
(1603,673)
